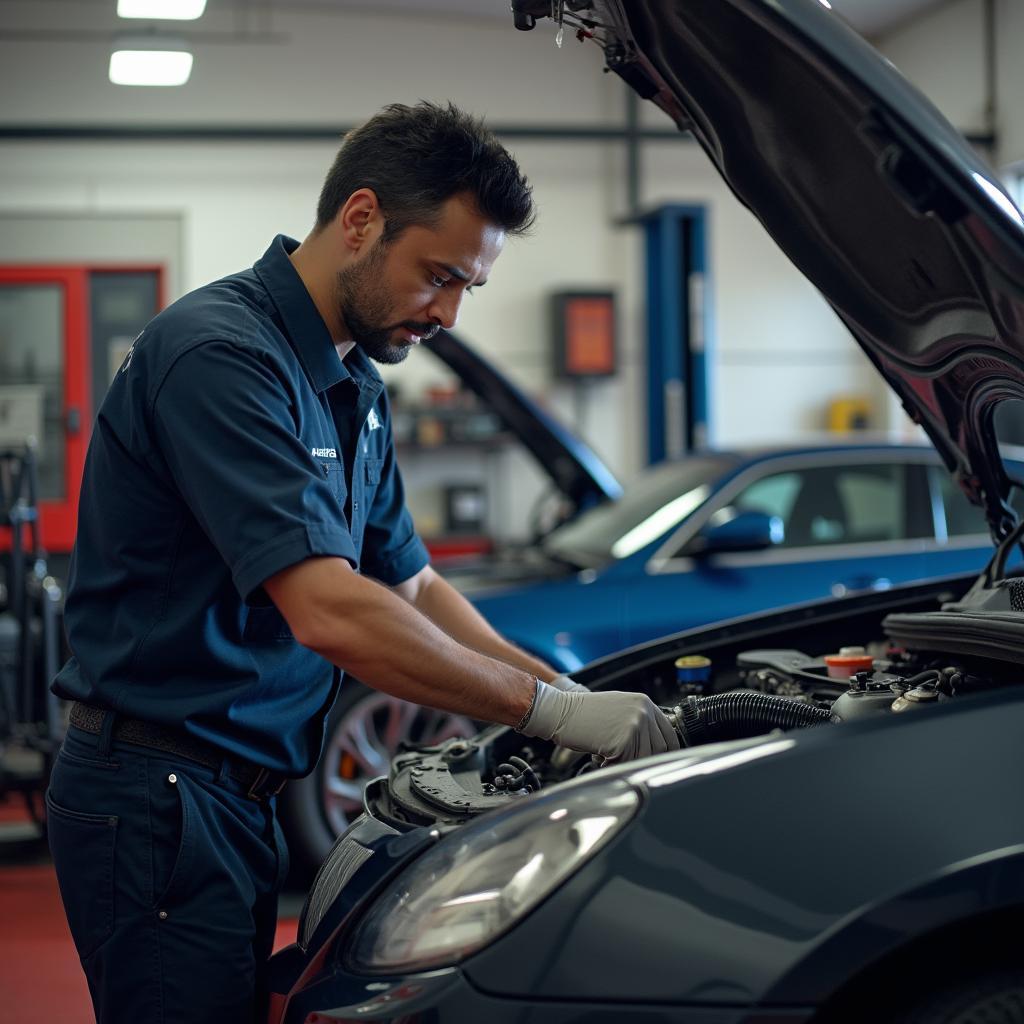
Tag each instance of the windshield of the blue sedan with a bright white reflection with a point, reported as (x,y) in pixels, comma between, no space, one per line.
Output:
(654,503)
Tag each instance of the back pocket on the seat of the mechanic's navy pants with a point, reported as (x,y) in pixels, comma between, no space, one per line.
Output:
(82,846)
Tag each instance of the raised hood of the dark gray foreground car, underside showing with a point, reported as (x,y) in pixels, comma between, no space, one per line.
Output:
(865,186)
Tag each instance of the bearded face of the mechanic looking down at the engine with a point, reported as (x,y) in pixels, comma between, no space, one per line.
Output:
(401,292)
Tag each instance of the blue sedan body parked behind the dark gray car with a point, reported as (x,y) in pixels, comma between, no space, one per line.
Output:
(722,535)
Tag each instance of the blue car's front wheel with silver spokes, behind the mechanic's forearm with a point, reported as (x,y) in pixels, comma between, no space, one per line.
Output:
(363,732)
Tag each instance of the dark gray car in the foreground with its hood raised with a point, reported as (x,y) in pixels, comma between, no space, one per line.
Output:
(841,837)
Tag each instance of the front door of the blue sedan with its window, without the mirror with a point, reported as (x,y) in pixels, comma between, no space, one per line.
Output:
(847,527)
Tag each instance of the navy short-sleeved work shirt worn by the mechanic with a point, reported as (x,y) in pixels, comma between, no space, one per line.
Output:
(233,444)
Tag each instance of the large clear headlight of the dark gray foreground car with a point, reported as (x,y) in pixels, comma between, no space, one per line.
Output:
(476,884)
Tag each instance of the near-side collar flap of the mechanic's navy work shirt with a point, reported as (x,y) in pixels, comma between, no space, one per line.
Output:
(304,325)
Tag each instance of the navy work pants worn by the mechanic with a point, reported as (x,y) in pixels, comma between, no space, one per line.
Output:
(169,877)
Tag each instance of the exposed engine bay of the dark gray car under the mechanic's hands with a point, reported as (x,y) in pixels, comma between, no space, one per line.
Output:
(913,662)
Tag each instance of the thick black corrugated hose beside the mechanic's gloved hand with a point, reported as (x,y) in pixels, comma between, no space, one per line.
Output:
(736,716)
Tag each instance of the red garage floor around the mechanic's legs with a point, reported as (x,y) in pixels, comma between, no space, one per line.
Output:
(40,978)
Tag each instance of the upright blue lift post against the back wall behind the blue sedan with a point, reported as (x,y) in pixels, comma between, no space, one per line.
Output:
(679,330)
